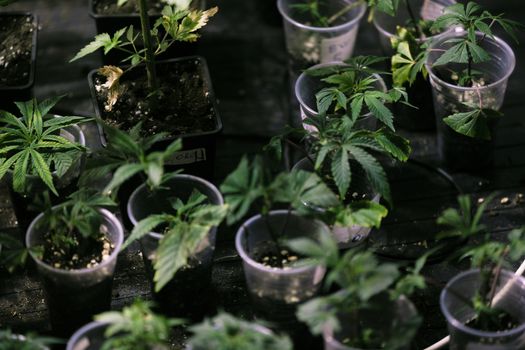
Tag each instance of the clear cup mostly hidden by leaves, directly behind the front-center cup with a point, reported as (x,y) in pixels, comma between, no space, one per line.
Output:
(346,236)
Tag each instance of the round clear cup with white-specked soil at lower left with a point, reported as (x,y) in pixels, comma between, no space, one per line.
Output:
(77,281)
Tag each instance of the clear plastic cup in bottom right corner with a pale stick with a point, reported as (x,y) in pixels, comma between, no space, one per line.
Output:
(509,297)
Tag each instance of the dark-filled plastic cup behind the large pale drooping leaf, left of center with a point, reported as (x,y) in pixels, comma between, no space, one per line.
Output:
(188,293)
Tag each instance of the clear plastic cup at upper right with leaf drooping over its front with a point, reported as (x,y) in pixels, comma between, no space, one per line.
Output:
(457,151)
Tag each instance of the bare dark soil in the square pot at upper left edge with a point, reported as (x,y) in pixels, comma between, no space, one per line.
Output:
(16,41)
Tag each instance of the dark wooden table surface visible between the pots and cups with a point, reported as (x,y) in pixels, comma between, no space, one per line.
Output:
(248,64)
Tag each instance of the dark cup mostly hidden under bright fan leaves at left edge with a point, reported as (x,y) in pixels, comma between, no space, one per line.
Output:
(24,204)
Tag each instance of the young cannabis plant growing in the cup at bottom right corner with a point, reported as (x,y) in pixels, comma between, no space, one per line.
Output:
(488,255)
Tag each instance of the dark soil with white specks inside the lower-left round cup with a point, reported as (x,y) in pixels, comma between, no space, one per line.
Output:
(86,253)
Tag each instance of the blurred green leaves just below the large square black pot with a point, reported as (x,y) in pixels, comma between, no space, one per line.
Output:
(127,155)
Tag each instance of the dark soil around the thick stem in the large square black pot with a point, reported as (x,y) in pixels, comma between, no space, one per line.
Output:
(182,105)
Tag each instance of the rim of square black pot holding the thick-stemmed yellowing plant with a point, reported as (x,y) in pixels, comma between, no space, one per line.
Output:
(206,77)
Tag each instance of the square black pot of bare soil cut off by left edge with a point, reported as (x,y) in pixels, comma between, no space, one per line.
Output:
(10,94)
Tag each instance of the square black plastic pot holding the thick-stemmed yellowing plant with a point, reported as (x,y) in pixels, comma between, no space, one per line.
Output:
(198,154)
